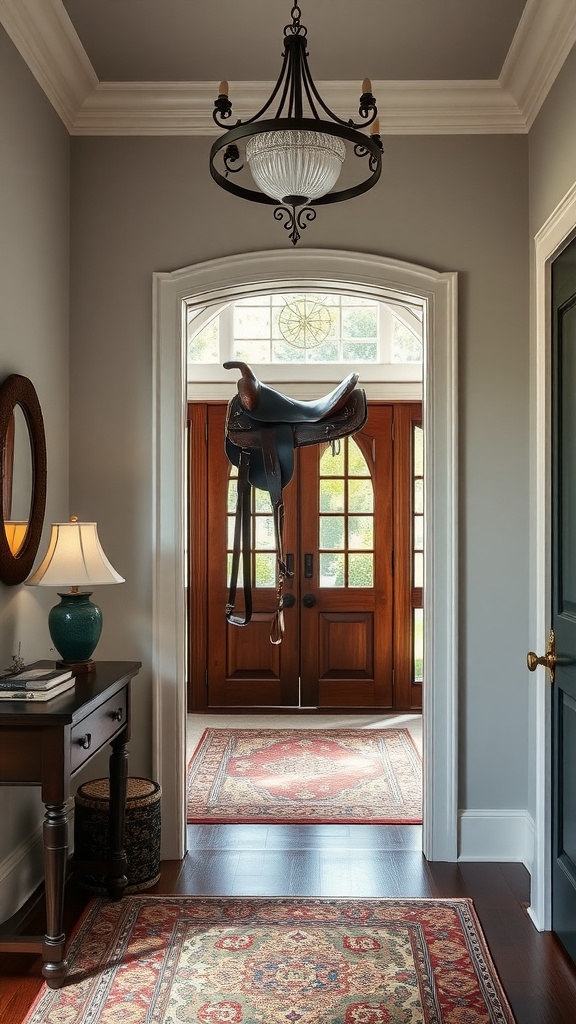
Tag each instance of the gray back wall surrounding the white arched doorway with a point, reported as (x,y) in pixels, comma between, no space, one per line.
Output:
(141,205)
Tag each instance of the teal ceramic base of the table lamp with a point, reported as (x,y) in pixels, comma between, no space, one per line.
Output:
(75,627)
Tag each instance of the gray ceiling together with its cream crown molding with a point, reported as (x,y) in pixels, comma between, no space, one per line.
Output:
(152,67)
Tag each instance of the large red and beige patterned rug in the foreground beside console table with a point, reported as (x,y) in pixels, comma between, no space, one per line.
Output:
(178,960)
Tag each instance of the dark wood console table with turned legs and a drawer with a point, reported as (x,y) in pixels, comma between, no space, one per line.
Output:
(47,745)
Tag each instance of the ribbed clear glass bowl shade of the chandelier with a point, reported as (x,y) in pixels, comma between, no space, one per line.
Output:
(295,166)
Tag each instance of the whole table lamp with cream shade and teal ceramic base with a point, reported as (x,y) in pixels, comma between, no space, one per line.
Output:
(74,560)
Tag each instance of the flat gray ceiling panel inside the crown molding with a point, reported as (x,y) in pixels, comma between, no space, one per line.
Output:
(210,40)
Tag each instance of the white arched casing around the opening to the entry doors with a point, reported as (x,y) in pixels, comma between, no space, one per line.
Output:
(229,279)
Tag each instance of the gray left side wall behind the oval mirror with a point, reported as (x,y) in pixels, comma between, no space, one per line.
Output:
(34,313)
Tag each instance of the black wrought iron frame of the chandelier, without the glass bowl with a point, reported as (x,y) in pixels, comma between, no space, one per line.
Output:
(296,89)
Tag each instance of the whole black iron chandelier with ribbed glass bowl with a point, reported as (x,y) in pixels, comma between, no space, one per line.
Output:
(296,157)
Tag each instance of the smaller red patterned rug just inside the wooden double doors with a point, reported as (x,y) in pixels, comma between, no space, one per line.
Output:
(290,776)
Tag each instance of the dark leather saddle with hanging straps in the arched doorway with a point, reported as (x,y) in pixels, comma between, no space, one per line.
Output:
(263,429)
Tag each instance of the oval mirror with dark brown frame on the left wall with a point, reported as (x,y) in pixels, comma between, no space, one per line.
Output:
(23,478)
